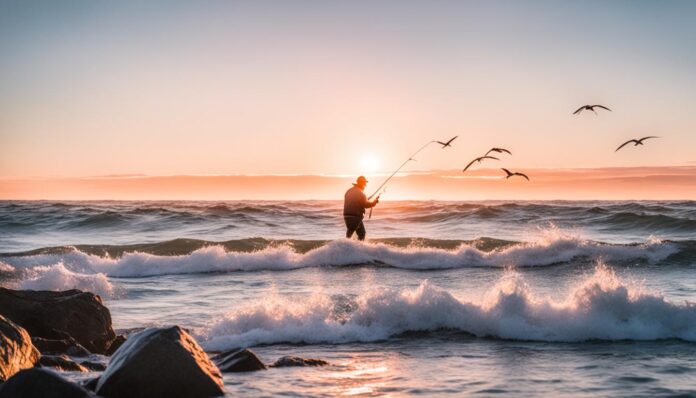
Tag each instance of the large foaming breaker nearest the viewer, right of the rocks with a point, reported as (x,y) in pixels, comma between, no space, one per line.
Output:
(599,307)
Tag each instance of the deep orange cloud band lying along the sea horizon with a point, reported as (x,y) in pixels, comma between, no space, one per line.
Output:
(570,184)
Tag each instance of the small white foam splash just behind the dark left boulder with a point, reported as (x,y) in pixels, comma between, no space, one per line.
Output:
(57,277)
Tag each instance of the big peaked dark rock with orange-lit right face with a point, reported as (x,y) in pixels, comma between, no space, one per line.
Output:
(160,362)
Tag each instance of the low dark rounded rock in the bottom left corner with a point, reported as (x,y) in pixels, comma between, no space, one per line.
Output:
(36,382)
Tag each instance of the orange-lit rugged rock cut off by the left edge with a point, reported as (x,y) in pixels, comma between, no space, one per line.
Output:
(16,350)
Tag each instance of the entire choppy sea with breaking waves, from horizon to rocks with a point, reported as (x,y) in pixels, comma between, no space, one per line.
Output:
(445,298)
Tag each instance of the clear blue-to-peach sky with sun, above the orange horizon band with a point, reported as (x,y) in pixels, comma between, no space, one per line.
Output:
(211,88)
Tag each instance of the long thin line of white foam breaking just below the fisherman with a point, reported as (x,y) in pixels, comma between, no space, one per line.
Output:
(551,249)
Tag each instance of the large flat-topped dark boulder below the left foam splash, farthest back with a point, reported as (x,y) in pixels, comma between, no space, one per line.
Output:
(60,315)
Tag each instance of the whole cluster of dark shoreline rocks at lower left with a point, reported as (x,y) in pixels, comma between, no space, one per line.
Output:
(44,333)
